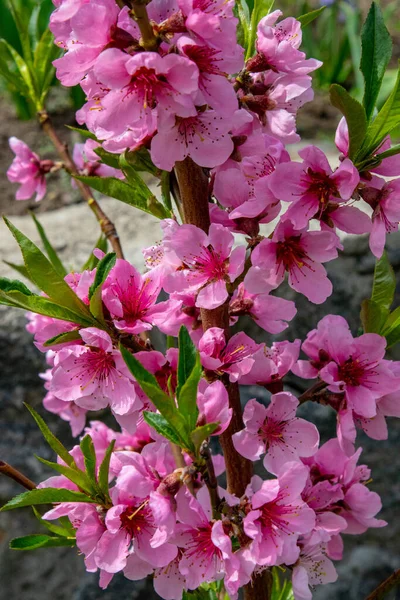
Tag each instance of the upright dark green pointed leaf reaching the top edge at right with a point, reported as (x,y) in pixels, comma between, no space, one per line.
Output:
(376,53)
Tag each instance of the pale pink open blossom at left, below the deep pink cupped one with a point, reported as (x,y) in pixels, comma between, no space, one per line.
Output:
(94,375)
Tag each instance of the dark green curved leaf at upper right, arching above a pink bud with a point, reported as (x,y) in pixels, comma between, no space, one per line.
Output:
(355,116)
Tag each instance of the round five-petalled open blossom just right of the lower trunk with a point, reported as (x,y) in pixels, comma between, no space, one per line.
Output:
(276,431)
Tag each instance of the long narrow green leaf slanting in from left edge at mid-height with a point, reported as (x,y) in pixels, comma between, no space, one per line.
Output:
(43,306)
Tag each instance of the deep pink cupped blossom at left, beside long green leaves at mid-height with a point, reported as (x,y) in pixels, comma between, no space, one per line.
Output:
(131,298)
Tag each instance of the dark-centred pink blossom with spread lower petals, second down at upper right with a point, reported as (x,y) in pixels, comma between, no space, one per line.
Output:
(300,253)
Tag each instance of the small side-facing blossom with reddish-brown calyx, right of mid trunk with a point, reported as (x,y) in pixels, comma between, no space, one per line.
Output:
(269,312)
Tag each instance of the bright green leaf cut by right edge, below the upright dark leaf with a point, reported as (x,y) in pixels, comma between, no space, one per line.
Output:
(387,119)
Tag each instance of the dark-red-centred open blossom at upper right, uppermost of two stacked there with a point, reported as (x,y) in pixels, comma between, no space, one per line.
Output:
(314,190)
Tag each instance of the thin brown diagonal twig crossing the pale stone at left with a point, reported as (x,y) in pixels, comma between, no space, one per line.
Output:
(106,225)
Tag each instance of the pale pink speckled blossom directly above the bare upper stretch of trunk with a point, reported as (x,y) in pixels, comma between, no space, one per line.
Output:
(203,136)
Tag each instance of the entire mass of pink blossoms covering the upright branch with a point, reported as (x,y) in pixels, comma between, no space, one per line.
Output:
(192,94)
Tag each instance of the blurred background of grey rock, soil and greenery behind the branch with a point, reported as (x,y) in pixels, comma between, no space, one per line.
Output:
(59,573)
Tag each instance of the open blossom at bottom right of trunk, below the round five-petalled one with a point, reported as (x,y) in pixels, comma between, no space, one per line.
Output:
(278,516)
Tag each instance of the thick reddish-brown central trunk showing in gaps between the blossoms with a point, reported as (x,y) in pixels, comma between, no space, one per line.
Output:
(193,185)
